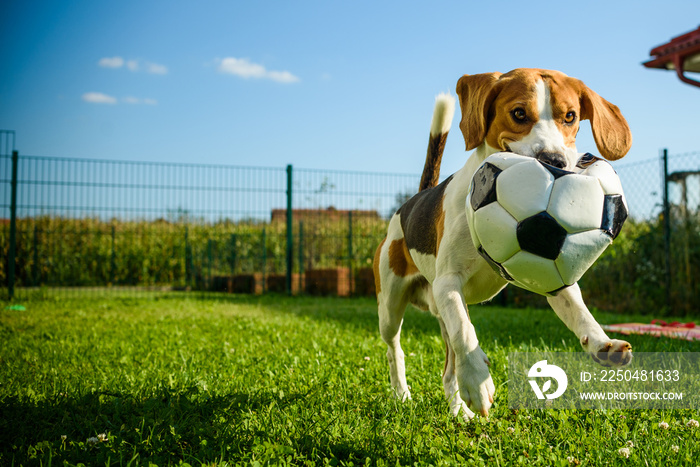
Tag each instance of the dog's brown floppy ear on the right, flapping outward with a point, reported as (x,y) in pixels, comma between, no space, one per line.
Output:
(610,130)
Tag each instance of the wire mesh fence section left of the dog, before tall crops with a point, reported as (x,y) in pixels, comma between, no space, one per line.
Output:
(144,226)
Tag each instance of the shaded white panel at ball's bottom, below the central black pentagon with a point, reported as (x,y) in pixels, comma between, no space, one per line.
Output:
(540,275)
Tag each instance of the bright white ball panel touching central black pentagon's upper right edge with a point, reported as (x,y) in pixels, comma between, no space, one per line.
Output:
(575,212)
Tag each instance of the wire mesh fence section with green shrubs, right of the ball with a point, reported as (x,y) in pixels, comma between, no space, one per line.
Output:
(654,266)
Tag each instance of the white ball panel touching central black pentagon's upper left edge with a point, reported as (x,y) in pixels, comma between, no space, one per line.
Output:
(524,191)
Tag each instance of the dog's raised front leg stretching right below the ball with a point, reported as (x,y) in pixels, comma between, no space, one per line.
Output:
(569,306)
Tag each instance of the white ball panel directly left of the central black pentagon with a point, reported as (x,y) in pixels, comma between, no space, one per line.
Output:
(497,231)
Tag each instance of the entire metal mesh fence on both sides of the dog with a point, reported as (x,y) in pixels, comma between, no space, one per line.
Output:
(114,225)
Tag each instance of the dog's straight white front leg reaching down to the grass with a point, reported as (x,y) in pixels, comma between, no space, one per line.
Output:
(476,387)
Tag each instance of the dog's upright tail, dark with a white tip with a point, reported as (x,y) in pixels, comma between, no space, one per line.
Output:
(439,128)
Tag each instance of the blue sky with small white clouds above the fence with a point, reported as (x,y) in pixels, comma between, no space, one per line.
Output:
(343,85)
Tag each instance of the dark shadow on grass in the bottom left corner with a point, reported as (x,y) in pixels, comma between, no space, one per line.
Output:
(174,426)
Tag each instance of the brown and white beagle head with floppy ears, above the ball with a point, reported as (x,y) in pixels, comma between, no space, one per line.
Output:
(536,113)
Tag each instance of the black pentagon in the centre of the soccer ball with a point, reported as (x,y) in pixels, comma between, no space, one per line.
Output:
(541,235)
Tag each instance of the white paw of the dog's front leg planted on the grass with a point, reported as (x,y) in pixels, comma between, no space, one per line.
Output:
(476,387)
